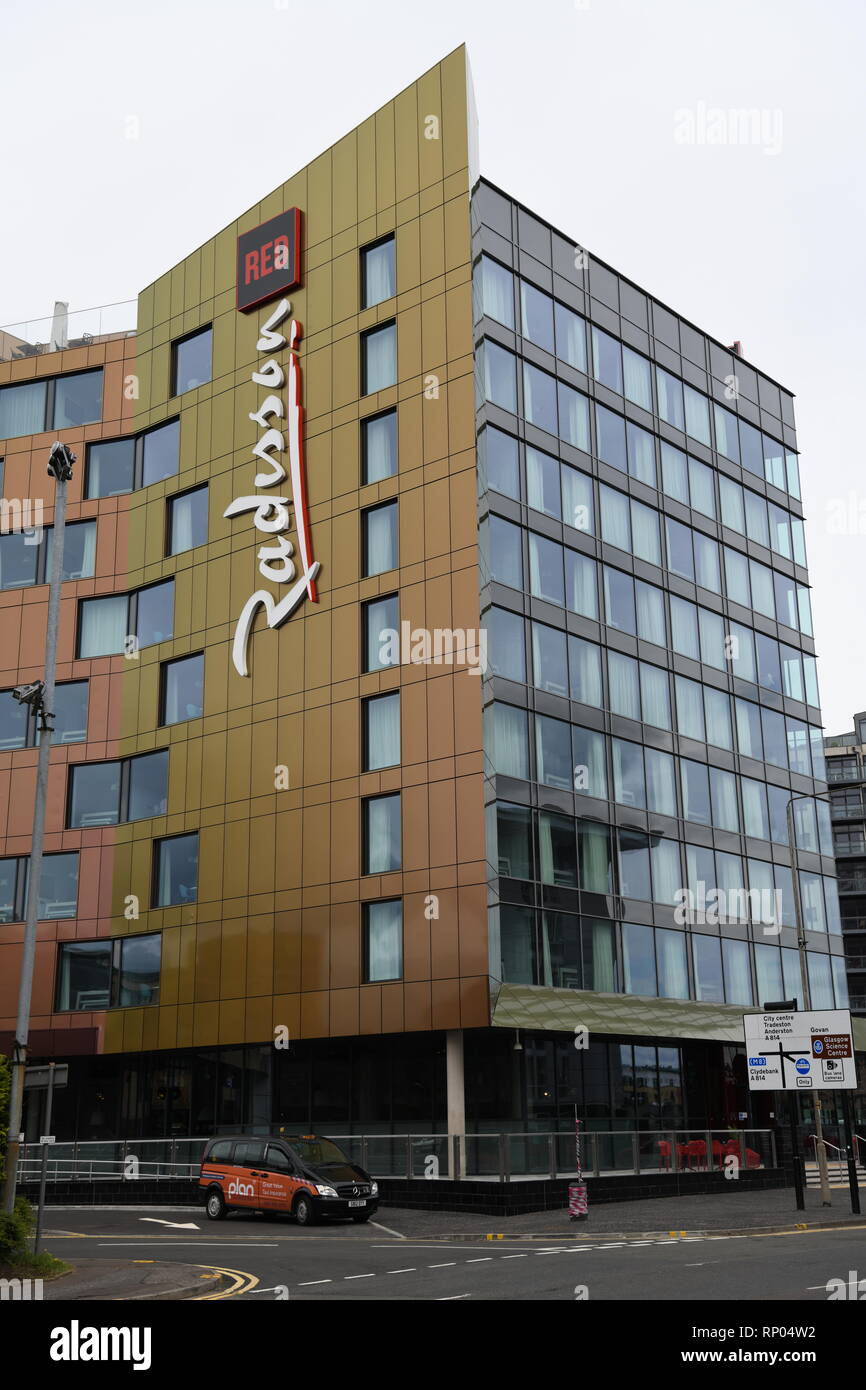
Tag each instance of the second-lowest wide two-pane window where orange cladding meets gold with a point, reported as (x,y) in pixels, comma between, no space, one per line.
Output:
(104,794)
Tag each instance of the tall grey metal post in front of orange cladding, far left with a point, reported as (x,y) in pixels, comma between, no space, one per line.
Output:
(40,697)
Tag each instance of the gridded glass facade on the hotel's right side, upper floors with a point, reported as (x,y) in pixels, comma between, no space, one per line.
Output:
(653,698)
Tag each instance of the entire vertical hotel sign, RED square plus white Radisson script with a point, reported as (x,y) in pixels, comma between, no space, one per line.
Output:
(269,265)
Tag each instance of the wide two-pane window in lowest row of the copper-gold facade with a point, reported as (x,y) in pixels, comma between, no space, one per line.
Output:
(105,975)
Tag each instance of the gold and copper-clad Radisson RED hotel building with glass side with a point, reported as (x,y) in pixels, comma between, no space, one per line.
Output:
(436,672)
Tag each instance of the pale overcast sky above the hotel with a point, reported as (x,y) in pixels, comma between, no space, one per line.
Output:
(580,106)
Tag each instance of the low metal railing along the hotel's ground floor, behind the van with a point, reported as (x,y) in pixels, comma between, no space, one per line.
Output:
(497,1157)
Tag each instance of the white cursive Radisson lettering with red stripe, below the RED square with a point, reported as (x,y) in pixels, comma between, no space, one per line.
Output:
(273,515)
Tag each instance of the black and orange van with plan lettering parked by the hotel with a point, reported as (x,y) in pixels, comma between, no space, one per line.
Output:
(305,1175)
